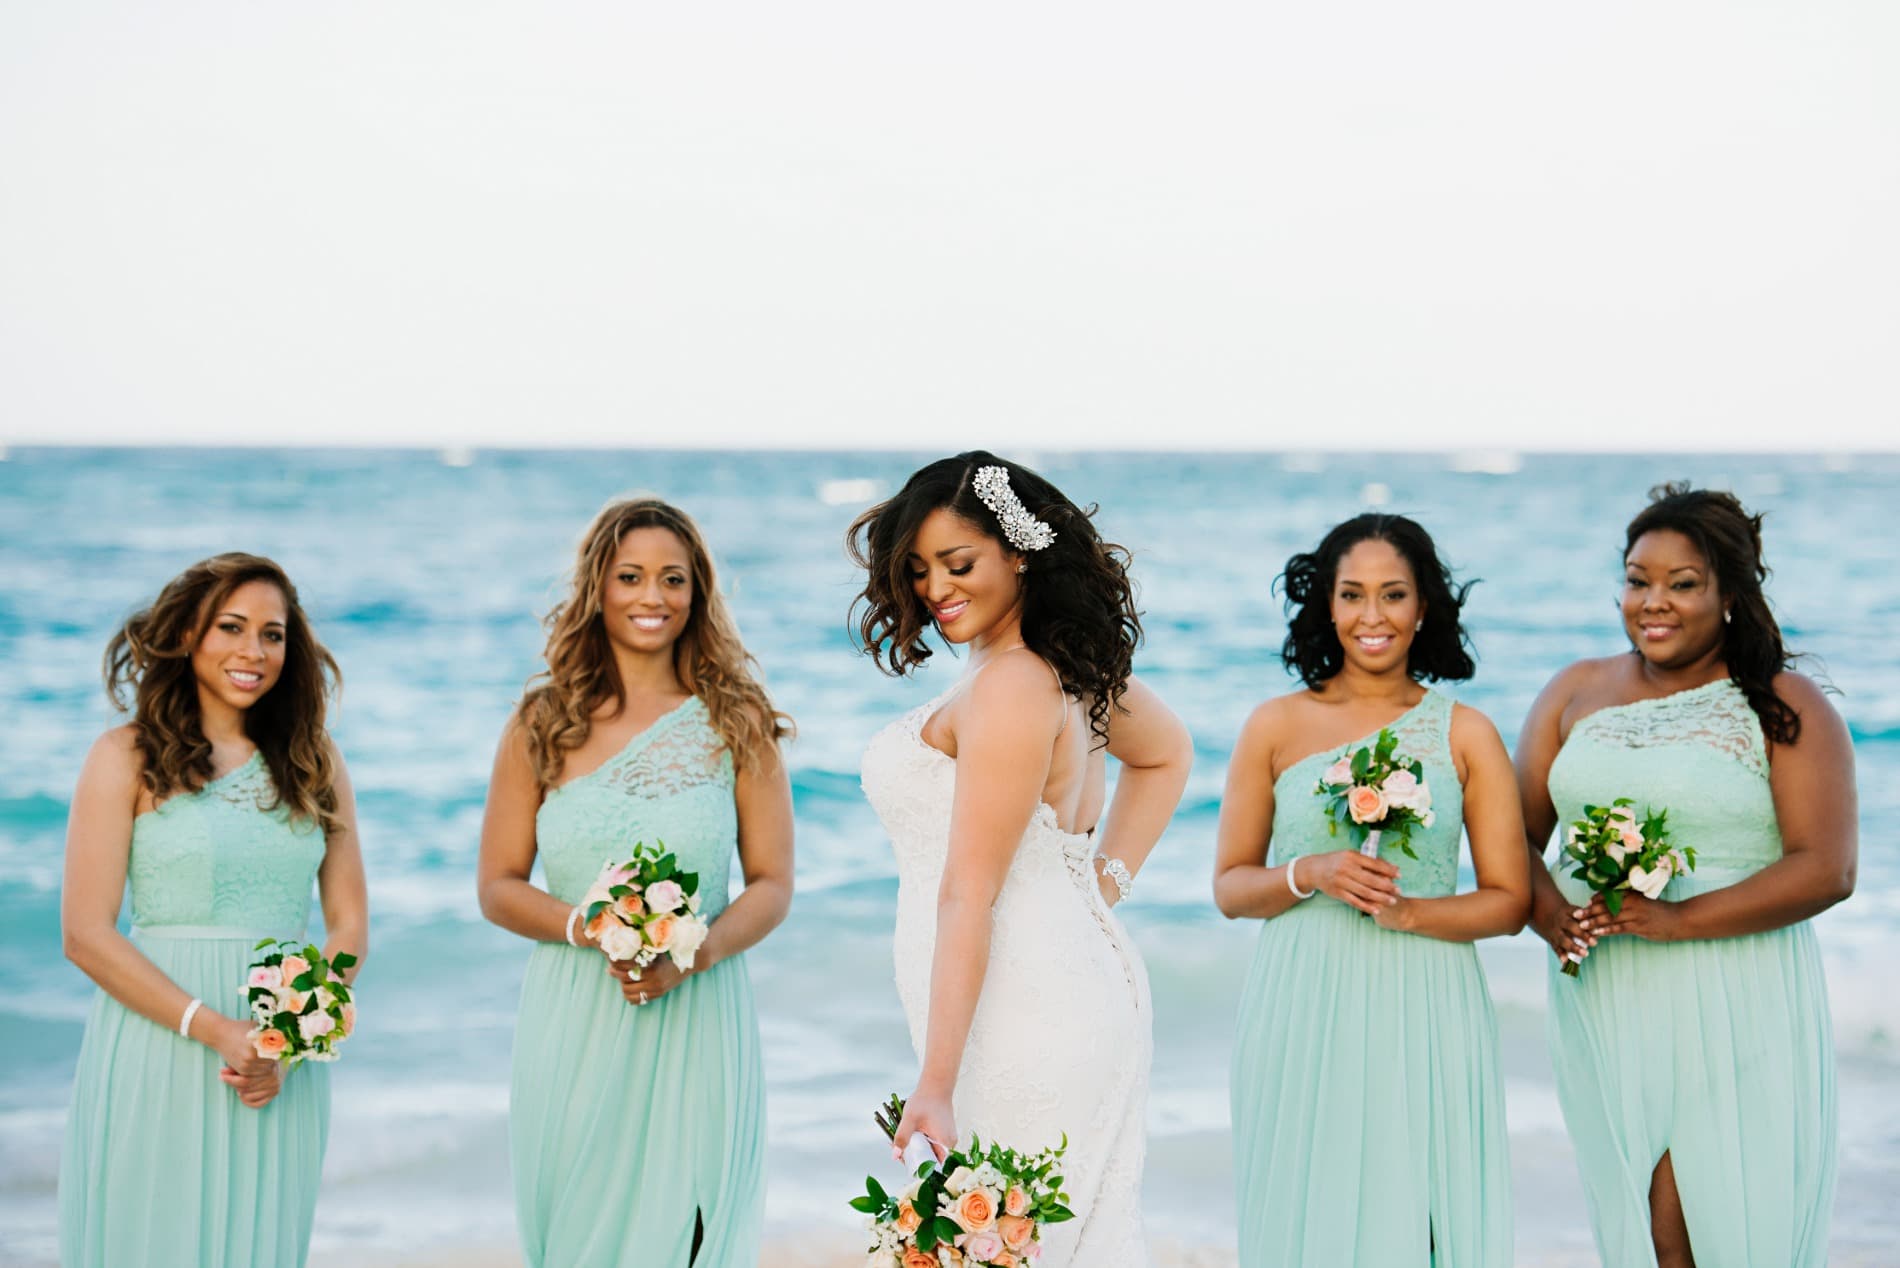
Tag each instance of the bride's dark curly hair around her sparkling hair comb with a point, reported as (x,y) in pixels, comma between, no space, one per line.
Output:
(1078,602)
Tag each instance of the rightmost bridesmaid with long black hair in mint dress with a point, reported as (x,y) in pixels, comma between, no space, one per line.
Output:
(1694,1050)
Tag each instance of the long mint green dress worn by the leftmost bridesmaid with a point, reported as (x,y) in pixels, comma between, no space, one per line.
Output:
(162,1164)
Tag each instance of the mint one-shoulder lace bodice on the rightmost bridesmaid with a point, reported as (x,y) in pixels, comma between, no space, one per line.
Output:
(1696,754)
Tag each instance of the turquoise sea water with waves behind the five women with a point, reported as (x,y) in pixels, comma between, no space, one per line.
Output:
(427,577)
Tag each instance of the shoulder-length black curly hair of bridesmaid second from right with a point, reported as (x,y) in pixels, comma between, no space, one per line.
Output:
(1441,651)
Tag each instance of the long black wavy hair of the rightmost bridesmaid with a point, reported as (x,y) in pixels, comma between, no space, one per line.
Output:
(1730,539)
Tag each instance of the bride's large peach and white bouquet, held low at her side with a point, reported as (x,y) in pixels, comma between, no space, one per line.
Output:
(985,1204)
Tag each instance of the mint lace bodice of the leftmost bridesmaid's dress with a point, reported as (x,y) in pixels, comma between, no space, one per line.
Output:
(219,858)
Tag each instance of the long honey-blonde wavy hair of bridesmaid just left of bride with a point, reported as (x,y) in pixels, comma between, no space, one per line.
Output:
(710,659)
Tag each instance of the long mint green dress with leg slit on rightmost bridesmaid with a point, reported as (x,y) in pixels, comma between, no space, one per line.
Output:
(1719,1052)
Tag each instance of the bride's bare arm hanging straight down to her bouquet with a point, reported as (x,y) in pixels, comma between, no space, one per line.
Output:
(1004,740)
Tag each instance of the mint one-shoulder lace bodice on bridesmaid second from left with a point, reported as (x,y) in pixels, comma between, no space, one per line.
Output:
(672,786)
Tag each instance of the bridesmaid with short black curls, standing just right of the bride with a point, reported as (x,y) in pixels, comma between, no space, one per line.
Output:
(1369,1113)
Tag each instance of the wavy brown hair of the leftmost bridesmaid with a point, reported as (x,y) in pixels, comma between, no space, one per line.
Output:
(149,674)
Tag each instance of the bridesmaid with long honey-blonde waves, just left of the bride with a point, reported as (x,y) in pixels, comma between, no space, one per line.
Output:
(637,1109)
